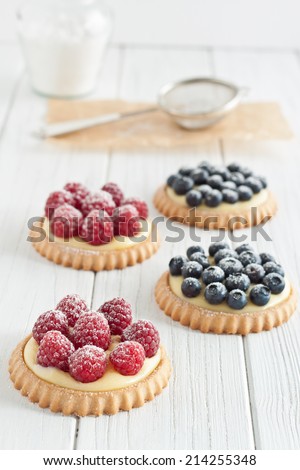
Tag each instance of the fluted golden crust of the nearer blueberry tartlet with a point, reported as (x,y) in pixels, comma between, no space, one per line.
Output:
(206,321)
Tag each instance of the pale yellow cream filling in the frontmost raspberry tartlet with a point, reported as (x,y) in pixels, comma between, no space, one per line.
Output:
(111,380)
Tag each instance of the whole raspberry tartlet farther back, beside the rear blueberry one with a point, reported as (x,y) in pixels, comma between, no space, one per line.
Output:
(94,231)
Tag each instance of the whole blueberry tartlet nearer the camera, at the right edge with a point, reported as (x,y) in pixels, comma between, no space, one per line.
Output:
(227,291)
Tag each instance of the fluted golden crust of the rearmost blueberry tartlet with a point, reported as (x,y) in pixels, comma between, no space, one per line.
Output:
(229,220)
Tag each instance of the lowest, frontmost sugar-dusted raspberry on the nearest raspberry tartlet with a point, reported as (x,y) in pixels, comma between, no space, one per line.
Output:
(87,364)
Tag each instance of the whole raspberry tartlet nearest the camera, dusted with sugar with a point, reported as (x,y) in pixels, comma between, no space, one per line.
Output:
(75,363)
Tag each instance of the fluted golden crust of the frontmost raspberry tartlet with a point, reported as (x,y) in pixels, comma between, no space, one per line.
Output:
(74,402)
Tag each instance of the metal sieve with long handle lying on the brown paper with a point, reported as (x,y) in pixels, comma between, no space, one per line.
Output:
(195,103)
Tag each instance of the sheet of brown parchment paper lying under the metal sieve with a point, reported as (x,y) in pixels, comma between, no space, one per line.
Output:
(256,121)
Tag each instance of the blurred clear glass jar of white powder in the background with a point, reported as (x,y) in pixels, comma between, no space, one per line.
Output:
(64,43)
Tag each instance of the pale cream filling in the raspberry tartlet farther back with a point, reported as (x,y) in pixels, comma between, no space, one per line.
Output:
(117,243)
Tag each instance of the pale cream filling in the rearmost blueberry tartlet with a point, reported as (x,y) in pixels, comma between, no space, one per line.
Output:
(255,201)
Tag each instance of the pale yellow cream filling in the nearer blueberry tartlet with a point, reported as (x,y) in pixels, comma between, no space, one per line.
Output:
(200,301)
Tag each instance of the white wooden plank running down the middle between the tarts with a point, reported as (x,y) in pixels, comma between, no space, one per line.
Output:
(200,408)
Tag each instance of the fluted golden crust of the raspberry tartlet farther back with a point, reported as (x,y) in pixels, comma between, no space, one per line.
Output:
(92,260)
